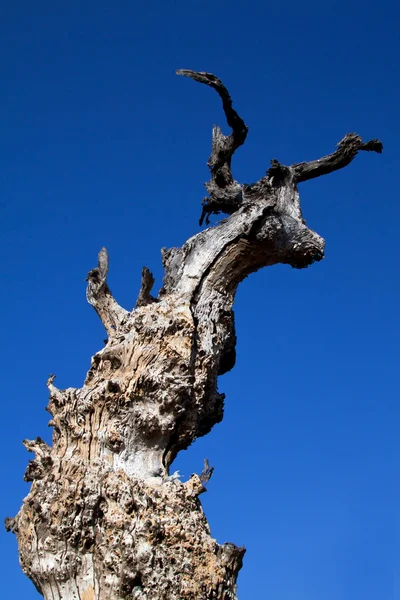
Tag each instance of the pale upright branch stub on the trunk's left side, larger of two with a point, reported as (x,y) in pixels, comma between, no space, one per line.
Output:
(98,294)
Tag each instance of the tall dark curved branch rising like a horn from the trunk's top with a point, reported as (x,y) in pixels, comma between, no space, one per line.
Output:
(225,193)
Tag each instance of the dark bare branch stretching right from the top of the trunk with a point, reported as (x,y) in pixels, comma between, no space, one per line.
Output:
(347,150)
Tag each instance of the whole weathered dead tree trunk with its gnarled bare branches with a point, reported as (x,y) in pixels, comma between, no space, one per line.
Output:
(104,519)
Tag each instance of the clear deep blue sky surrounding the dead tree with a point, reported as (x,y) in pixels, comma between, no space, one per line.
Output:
(102,145)
